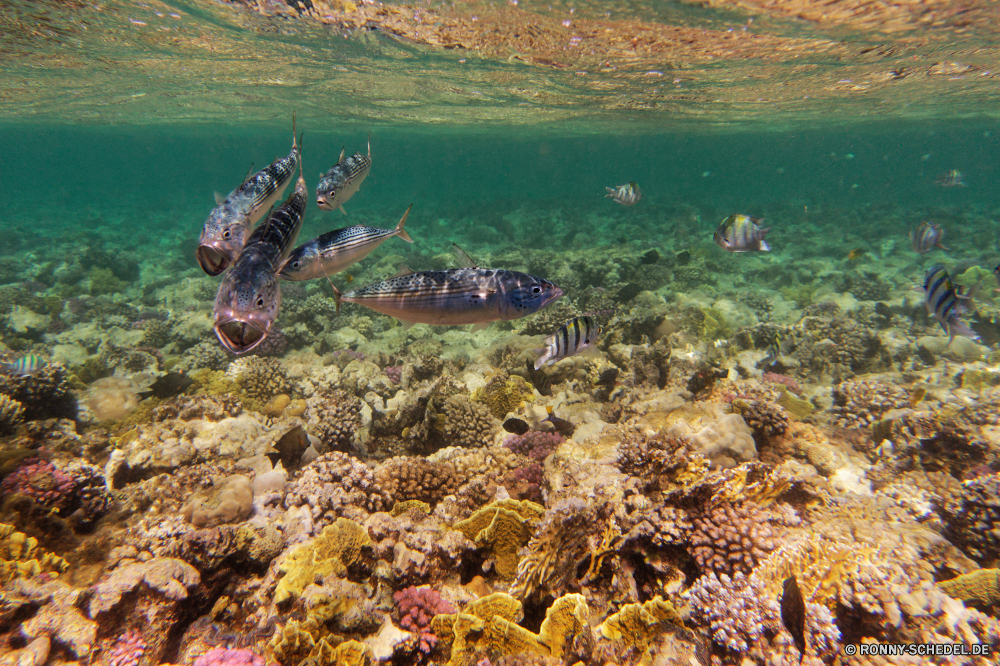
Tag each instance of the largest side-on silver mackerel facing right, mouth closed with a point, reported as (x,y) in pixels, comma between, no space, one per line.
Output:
(456,296)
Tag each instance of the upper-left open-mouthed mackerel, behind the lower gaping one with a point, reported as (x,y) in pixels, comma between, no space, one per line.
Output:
(230,222)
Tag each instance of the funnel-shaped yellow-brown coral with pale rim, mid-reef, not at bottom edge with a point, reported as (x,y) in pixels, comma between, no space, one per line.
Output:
(504,526)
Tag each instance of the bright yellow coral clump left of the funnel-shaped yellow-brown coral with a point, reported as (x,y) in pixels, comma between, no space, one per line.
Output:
(331,553)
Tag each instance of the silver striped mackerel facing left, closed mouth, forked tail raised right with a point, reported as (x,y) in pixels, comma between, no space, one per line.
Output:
(336,251)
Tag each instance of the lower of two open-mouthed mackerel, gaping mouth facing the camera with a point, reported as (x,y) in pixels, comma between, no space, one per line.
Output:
(249,297)
